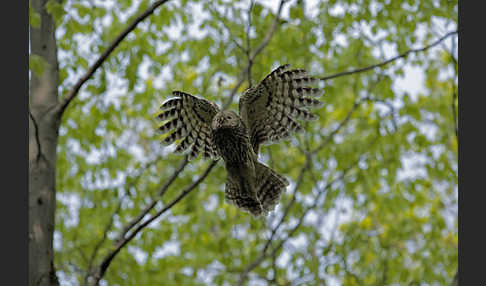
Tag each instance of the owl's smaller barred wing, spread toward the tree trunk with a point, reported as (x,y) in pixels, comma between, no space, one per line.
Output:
(189,118)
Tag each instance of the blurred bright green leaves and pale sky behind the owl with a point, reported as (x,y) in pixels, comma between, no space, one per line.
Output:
(376,175)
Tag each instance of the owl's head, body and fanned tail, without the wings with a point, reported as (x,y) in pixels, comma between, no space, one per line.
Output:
(250,185)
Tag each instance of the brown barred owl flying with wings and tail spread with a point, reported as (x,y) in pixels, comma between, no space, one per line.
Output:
(267,114)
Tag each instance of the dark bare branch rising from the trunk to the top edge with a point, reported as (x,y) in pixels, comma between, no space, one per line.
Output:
(74,91)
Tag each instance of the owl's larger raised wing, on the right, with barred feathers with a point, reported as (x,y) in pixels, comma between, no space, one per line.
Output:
(271,108)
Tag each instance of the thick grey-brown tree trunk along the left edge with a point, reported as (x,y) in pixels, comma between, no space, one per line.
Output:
(44,123)
